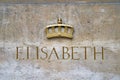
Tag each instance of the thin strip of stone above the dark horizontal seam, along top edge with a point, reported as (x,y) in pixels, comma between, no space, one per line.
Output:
(53,1)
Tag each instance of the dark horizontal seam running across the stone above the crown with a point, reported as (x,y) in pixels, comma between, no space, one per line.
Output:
(54,3)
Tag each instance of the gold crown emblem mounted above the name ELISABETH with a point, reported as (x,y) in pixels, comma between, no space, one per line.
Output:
(59,30)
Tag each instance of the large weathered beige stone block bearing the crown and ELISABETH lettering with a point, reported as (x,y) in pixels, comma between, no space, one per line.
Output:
(23,25)
